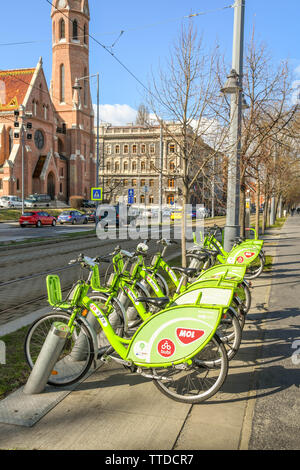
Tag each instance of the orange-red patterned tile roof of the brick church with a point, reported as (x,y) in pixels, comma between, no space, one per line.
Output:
(14,85)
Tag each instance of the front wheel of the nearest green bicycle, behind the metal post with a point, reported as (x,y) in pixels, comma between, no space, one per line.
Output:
(76,356)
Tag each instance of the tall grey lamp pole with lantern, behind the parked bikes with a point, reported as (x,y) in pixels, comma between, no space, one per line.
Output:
(234,87)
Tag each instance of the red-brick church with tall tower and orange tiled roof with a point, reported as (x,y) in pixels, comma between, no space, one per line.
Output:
(58,138)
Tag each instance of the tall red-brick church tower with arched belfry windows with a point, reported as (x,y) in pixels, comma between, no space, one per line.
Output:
(71,94)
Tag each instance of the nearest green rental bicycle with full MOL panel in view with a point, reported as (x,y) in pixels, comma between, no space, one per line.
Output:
(177,348)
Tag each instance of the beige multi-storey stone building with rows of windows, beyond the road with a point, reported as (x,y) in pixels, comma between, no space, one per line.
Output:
(130,158)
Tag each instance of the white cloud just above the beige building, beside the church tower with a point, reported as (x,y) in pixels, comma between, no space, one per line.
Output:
(116,114)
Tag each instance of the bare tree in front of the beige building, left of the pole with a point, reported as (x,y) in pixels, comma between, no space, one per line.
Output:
(184,103)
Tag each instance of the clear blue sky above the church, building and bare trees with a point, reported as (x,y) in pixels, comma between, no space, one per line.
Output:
(149,31)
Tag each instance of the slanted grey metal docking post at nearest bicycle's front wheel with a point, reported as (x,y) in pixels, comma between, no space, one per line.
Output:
(47,358)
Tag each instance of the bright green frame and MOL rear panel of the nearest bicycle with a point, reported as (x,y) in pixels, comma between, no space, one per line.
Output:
(169,338)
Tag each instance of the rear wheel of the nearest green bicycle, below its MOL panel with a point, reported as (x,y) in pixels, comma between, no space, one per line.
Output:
(201,380)
